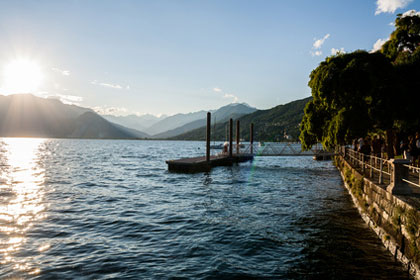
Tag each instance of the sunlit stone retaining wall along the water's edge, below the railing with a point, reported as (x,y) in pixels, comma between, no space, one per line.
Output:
(394,220)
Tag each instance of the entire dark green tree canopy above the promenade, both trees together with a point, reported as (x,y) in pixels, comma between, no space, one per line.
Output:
(360,92)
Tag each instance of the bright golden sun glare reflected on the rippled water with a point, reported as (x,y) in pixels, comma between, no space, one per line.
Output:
(21,199)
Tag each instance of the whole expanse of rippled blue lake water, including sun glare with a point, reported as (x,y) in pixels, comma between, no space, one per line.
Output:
(72,209)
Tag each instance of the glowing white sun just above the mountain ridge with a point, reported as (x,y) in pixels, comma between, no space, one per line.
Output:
(21,76)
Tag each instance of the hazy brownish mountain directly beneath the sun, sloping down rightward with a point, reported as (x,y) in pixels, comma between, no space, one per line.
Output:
(25,115)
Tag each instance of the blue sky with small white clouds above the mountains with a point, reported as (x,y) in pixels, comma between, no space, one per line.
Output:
(178,56)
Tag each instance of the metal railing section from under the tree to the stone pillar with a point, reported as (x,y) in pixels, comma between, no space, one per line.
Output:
(370,165)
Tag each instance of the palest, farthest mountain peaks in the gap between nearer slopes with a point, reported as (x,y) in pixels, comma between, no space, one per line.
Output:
(141,123)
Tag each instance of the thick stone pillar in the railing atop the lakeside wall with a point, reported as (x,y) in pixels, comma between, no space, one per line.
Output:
(399,172)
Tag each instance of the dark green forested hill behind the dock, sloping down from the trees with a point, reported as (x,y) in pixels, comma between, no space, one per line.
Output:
(269,125)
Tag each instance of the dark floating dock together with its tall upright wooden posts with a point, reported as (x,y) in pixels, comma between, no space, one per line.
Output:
(206,163)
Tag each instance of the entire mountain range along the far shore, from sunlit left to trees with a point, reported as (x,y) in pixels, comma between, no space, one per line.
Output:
(25,115)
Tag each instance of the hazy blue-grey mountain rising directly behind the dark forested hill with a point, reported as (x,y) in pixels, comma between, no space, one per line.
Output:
(234,110)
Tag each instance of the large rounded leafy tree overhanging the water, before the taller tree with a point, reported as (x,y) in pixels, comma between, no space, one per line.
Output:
(351,97)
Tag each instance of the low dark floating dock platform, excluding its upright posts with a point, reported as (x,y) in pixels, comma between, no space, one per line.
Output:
(200,164)
